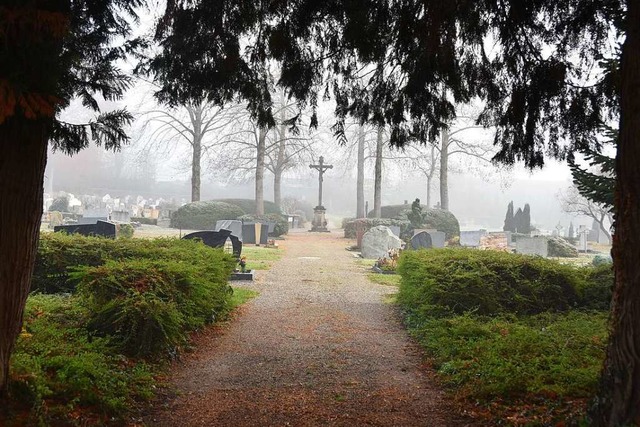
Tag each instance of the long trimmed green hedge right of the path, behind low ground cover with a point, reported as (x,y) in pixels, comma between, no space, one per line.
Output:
(442,282)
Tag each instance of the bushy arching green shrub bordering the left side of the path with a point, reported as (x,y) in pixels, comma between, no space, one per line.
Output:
(148,306)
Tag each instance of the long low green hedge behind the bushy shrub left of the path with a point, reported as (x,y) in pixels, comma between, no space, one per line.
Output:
(58,252)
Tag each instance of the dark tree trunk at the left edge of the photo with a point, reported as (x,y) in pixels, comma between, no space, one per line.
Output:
(23,145)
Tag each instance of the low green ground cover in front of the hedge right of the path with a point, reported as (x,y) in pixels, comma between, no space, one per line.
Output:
(557,355)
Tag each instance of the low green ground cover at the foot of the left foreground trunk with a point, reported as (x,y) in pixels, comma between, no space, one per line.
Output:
(57,360)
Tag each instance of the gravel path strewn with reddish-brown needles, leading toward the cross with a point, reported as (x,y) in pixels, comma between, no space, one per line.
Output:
(318,347)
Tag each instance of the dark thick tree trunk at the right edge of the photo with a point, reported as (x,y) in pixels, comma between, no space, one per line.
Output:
(618,399)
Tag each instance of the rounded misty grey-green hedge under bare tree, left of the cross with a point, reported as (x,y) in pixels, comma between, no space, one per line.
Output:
(204,215)
